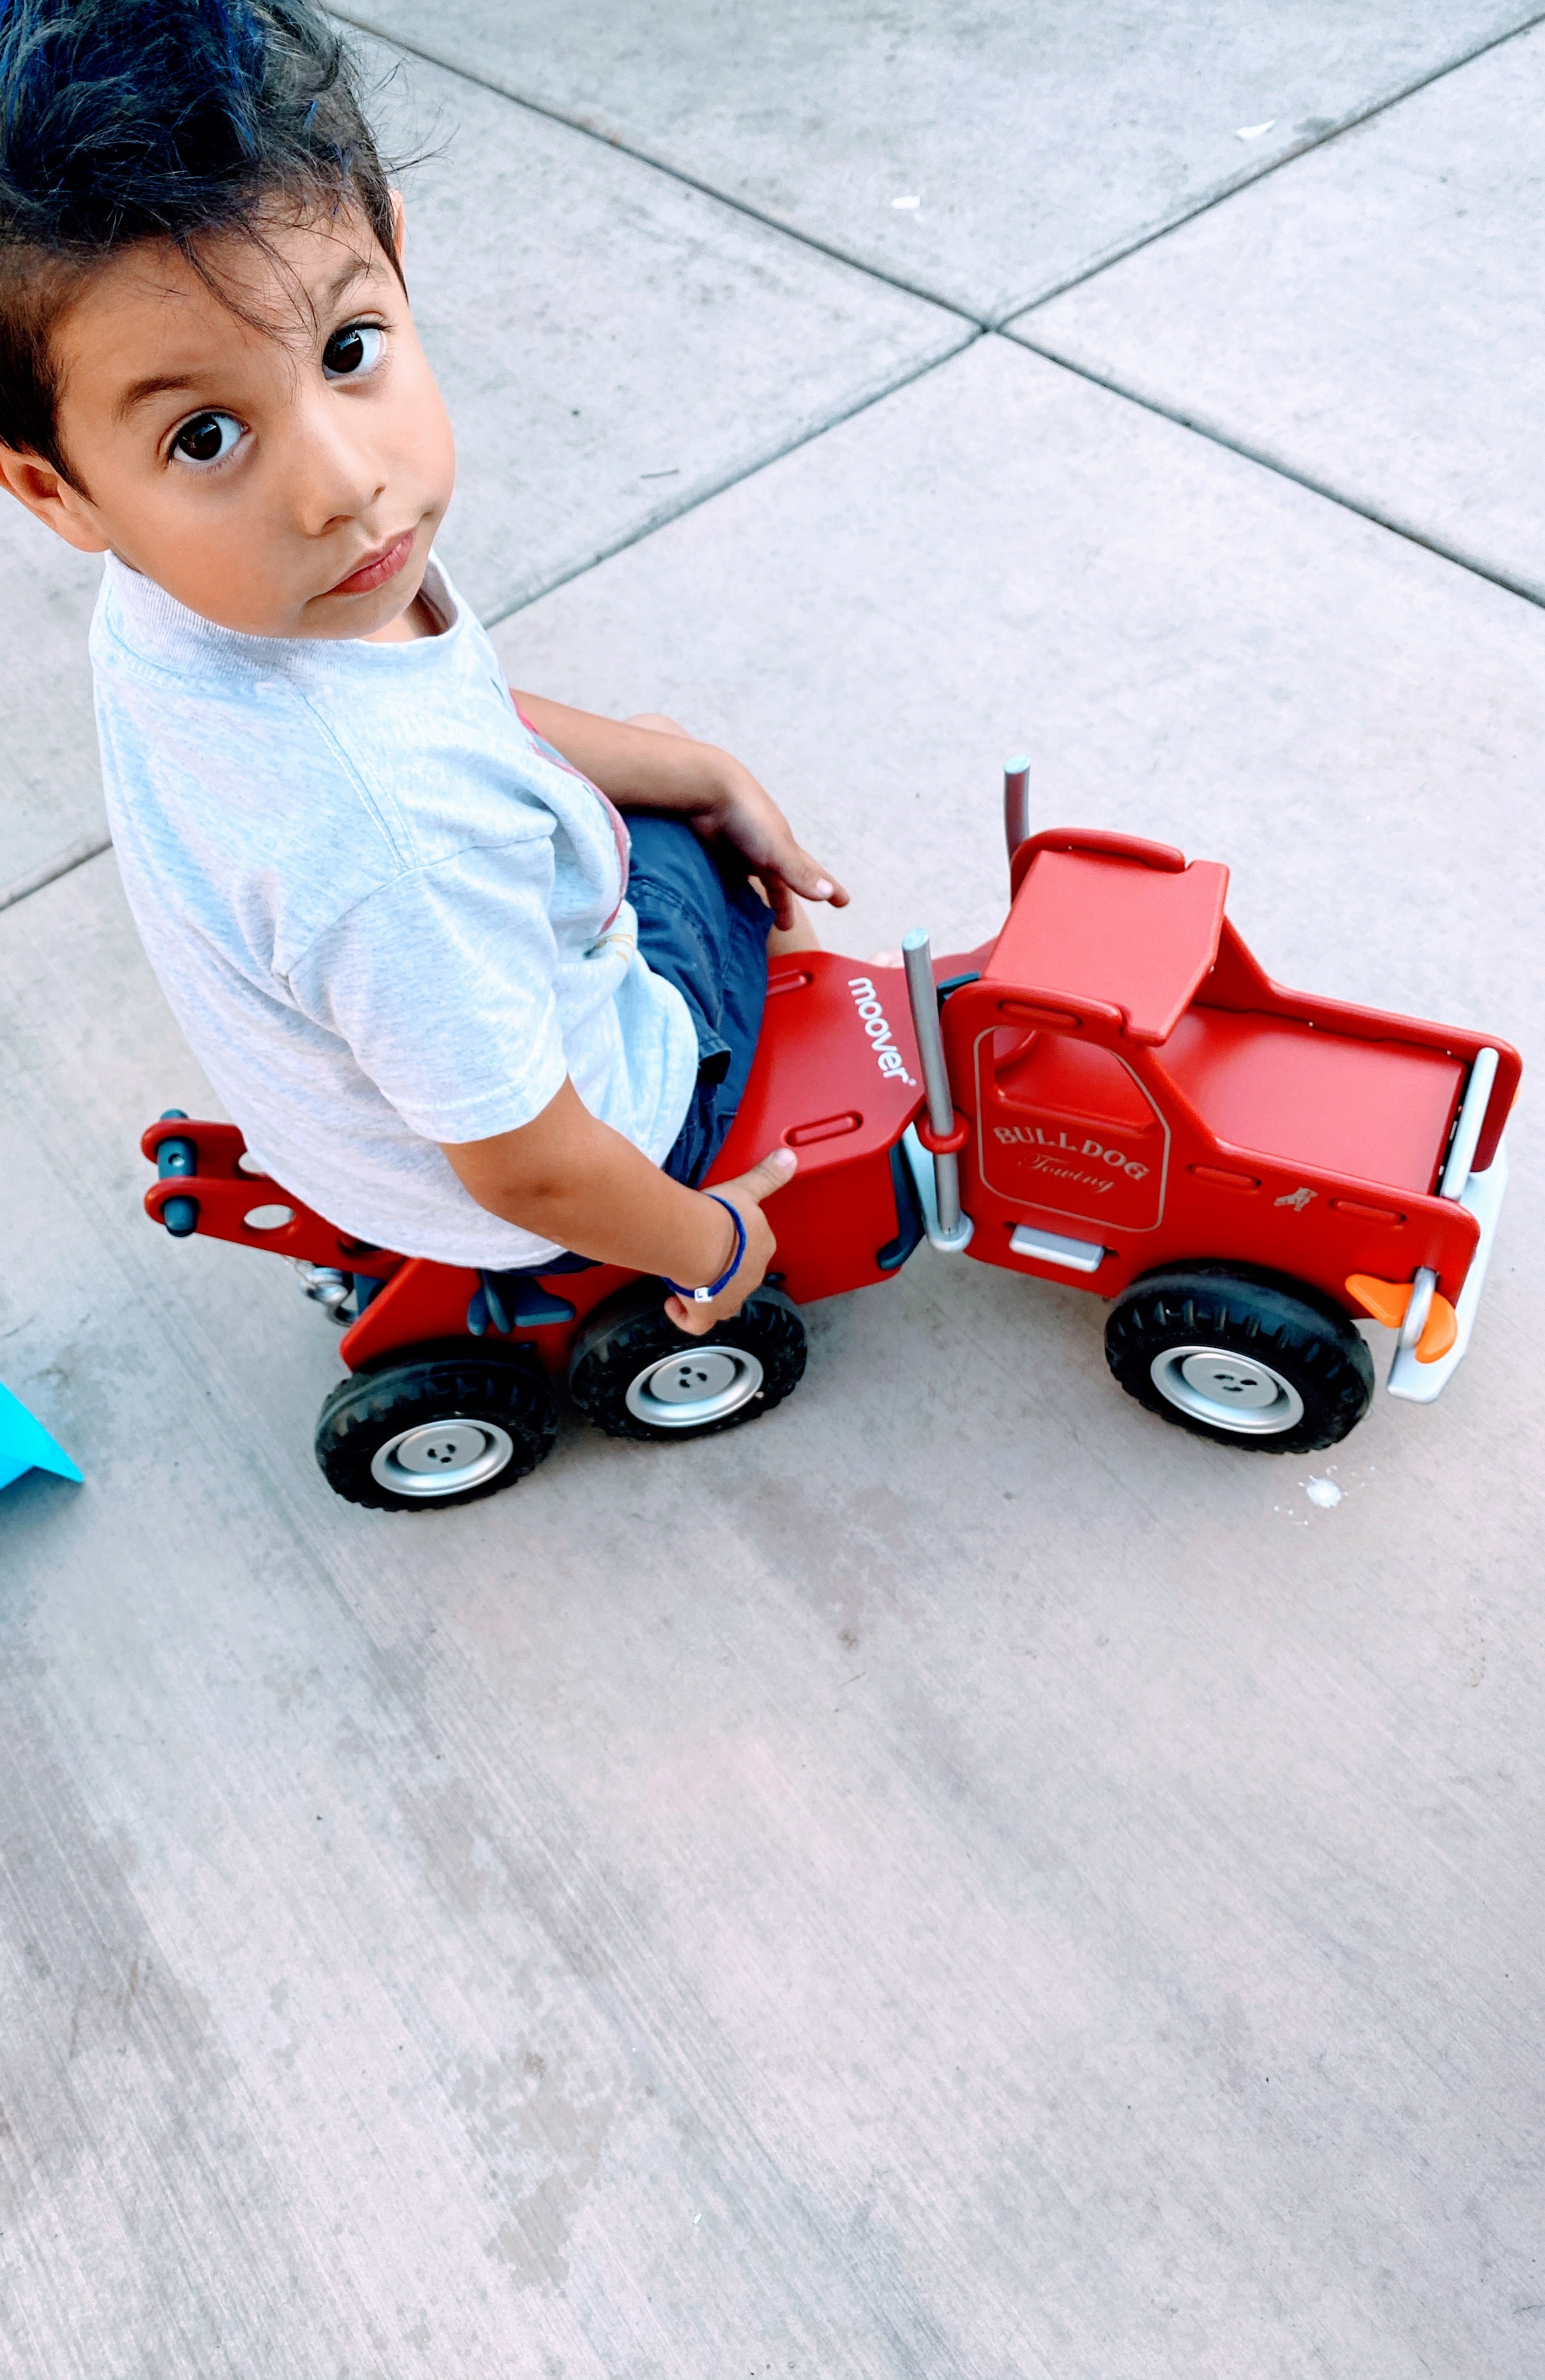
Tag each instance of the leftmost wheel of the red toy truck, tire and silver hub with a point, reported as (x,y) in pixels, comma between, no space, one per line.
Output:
(437,1427)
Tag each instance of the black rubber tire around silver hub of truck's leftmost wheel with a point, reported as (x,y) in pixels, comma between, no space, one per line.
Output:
(425,1386)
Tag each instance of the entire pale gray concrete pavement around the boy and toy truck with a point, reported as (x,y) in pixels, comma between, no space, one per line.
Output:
(958,1881)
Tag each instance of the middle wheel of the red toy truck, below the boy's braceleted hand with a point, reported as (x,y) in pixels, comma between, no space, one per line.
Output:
(637,1377)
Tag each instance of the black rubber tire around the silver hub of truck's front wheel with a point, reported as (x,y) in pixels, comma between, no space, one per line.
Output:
(1284,1324)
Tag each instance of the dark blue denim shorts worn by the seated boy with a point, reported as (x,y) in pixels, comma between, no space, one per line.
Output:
(706,934)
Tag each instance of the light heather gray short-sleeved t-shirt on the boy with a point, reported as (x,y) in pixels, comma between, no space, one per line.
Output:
(384,913)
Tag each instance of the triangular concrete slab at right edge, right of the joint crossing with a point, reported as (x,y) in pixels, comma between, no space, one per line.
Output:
(1368,318)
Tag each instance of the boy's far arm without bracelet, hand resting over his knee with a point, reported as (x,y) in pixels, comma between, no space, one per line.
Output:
(706,787)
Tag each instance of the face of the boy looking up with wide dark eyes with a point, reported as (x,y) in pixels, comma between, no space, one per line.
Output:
(277,484)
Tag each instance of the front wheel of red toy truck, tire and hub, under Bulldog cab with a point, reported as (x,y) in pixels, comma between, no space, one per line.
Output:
(1239,1360)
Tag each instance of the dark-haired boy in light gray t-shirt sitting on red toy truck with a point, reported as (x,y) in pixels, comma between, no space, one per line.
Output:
(451,998)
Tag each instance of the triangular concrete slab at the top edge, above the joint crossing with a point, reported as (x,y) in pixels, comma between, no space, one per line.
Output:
(1034,142)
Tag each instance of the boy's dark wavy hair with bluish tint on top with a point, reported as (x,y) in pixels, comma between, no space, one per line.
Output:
(158,120)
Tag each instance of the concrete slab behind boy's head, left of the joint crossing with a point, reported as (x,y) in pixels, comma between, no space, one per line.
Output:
(611,346)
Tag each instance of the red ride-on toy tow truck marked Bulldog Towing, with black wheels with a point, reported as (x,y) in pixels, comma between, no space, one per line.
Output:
(1108,1094)
